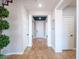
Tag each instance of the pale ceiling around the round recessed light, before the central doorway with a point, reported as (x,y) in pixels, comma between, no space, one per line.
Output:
(47,5)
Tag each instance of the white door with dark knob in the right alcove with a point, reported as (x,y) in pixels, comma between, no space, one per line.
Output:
(69,32)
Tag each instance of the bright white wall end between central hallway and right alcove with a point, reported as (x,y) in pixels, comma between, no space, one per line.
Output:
(58,30)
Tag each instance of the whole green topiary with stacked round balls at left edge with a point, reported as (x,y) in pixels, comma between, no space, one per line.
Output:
(4,40)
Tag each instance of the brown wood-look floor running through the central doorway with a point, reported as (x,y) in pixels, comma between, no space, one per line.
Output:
(40,50)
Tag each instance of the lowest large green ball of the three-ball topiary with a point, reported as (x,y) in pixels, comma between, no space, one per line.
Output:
(4,41)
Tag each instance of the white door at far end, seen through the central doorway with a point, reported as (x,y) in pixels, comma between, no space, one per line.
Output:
(40,28)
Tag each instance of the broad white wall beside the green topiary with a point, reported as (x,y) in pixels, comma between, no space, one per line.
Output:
(18,29)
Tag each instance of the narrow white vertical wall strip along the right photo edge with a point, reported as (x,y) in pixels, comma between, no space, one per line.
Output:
(77,56)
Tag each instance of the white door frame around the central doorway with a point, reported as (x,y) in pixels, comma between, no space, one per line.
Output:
(48,30)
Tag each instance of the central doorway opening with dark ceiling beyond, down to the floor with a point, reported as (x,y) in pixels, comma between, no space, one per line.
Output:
(39,26)
